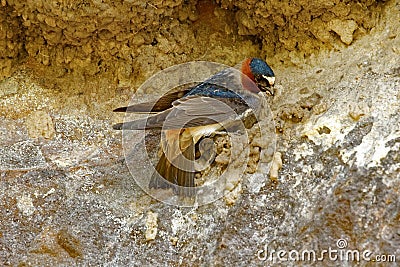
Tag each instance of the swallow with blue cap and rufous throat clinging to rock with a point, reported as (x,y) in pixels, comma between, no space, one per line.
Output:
(189,114)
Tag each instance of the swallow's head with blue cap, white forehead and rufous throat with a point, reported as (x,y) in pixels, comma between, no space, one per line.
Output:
(260,73)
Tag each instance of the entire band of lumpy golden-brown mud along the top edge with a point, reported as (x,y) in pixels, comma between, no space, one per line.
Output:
(124,36)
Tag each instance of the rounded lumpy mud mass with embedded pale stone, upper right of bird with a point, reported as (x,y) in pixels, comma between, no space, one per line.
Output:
(314,24)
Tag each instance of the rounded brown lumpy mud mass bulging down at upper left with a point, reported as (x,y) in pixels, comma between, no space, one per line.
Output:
(86,34)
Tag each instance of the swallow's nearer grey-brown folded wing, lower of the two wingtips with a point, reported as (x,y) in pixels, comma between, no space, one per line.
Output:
(189,112)
